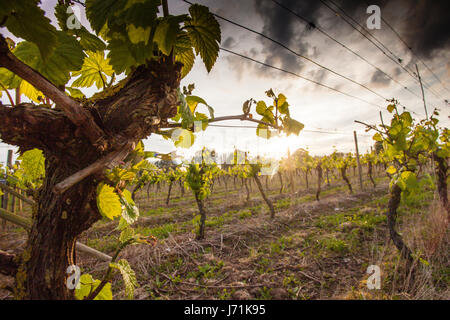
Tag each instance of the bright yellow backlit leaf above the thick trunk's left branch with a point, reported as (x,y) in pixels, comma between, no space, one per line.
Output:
(94,71)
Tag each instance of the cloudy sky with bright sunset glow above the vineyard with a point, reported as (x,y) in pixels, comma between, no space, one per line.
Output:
(328,116)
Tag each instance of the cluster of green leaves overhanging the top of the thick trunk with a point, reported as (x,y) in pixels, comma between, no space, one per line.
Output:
(133,32)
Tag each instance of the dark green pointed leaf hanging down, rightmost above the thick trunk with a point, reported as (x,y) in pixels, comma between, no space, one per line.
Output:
(204,32)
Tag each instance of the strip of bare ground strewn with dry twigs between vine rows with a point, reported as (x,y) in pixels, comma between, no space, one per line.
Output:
(254,258)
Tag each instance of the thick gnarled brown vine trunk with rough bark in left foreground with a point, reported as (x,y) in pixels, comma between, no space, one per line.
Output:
(127,112)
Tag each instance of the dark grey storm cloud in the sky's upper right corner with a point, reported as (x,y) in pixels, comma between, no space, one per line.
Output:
(424,25)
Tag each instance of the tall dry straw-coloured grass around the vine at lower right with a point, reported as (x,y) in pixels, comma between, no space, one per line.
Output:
(427,278)
